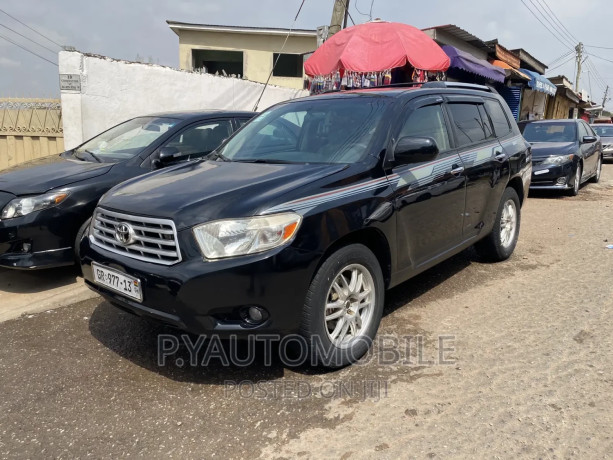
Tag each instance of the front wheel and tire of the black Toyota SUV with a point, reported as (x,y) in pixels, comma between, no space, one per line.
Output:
(346,334)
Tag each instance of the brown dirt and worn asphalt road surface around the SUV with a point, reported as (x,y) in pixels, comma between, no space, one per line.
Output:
(506,360)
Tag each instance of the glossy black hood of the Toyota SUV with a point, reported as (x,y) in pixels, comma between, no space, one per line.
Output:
(199,192)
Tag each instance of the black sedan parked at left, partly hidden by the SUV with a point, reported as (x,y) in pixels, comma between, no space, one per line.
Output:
(44,205)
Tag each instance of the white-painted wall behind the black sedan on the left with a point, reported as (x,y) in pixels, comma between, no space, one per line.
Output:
(113,91)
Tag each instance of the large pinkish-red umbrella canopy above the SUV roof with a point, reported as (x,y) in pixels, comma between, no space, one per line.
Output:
(377,46)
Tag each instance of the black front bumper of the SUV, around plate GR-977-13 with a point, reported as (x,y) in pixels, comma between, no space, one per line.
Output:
(208,297)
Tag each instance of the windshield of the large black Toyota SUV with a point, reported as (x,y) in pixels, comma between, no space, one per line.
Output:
(310,131)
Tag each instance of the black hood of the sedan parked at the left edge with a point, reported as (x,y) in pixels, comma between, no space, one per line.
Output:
(43,174)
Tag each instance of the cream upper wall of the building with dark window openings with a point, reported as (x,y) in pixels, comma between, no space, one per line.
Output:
(257,51)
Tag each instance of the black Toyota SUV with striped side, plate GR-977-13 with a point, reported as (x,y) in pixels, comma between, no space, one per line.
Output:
(300,221)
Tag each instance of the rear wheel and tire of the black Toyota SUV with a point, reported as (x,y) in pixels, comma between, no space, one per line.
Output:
(500,243)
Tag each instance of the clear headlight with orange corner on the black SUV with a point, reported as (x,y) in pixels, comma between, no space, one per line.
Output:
(237,237)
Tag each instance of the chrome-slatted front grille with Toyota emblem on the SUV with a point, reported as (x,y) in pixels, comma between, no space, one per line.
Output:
(148,239)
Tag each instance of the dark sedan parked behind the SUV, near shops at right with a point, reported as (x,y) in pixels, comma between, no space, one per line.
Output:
(565,154)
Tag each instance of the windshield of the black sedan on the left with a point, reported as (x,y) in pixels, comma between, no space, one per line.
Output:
(126,140)
